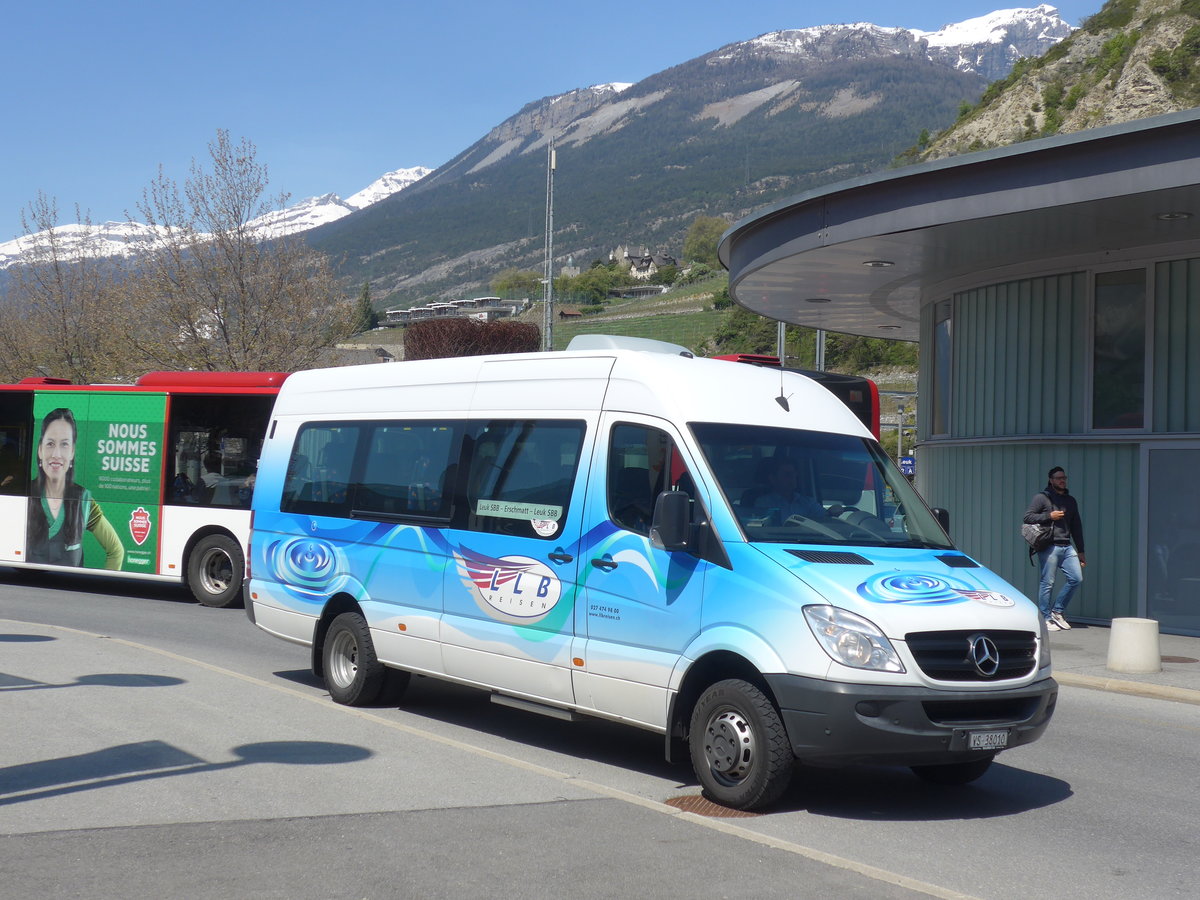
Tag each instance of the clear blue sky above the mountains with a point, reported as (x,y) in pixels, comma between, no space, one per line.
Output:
(334,94)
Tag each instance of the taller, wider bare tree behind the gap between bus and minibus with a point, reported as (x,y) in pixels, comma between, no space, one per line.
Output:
(213,293)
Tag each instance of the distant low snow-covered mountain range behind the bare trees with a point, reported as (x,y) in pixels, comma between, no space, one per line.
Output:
(127,238)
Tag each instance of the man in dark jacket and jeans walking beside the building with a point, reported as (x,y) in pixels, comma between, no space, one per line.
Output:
(1057,508)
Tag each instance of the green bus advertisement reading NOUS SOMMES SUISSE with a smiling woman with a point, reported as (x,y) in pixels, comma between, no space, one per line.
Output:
(97,481)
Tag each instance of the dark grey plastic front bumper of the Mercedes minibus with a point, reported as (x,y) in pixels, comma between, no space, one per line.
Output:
(841,723)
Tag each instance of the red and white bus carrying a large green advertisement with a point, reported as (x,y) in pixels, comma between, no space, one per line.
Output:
(149,481)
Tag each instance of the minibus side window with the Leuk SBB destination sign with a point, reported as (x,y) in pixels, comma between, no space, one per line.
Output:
(521,476)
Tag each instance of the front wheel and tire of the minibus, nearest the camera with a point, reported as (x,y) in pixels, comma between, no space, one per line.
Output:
(739,746)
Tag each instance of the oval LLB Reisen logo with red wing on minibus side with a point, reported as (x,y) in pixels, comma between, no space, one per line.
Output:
(514,590)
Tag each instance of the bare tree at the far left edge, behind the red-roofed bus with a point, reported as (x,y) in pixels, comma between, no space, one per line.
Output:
(61,303)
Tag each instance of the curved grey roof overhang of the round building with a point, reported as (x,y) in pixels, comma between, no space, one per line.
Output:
(862,256)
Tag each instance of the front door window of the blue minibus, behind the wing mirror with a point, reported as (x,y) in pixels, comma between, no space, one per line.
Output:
(643,464)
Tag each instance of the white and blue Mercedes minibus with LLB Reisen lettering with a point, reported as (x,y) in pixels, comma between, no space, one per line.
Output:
(677,544)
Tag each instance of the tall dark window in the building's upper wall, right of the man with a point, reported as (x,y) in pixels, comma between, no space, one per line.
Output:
(1119,351)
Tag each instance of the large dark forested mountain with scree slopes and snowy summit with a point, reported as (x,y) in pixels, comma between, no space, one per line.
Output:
(723,134)
